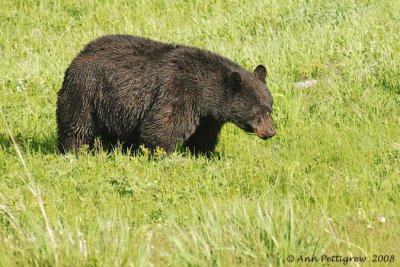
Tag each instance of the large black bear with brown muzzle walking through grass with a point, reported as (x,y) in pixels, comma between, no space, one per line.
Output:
(136,91)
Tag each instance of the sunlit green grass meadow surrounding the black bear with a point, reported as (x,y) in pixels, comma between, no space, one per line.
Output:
(327,184)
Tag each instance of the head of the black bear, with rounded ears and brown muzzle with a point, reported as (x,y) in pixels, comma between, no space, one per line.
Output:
(250,102)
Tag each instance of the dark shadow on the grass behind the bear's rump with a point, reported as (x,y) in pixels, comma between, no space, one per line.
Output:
(33,144)
